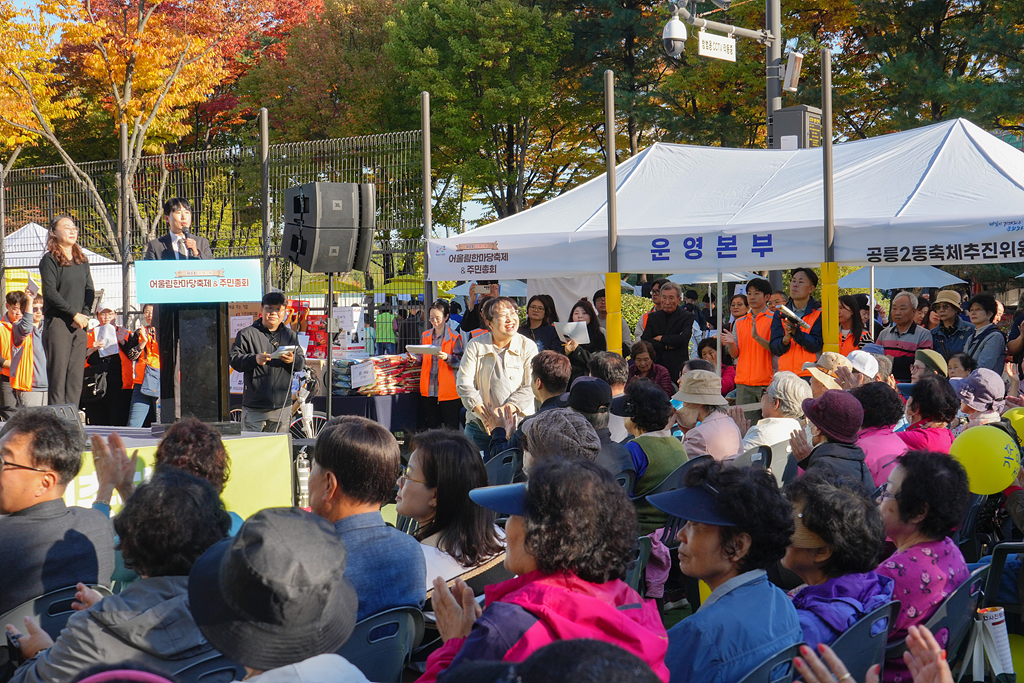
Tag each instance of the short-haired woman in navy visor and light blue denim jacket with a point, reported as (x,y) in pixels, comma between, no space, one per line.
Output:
(738,526)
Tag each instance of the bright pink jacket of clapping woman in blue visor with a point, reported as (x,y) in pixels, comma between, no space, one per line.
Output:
(560,607)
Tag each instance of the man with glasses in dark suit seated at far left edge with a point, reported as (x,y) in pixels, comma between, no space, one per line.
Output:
(47,545)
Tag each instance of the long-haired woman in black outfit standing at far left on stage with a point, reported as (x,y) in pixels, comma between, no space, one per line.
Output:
(68,296)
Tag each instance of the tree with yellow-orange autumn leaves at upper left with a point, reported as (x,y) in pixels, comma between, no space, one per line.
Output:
(147,62)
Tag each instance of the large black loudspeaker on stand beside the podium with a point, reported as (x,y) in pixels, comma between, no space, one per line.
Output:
(329,227)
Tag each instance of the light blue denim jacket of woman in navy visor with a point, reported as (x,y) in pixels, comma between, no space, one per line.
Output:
(744,622)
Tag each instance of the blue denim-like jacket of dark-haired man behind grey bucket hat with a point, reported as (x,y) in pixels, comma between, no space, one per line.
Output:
(385,566)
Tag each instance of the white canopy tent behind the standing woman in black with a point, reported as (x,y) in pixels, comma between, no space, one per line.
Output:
(25,247)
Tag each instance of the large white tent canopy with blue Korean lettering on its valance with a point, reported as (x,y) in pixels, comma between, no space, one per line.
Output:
(950,193)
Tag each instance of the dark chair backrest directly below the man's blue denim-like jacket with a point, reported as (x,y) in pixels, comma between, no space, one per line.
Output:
(381,646)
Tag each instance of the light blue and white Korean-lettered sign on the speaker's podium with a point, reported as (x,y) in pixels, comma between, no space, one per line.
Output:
(199,281)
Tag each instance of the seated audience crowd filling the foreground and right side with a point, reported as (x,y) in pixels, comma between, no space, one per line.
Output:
(824,492)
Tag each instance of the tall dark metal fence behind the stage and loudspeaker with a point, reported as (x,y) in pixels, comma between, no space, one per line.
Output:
(225,189)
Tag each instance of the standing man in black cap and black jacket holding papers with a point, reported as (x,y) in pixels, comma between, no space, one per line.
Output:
(261,353)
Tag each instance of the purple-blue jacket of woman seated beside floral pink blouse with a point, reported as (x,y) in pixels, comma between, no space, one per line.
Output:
(828,610)
